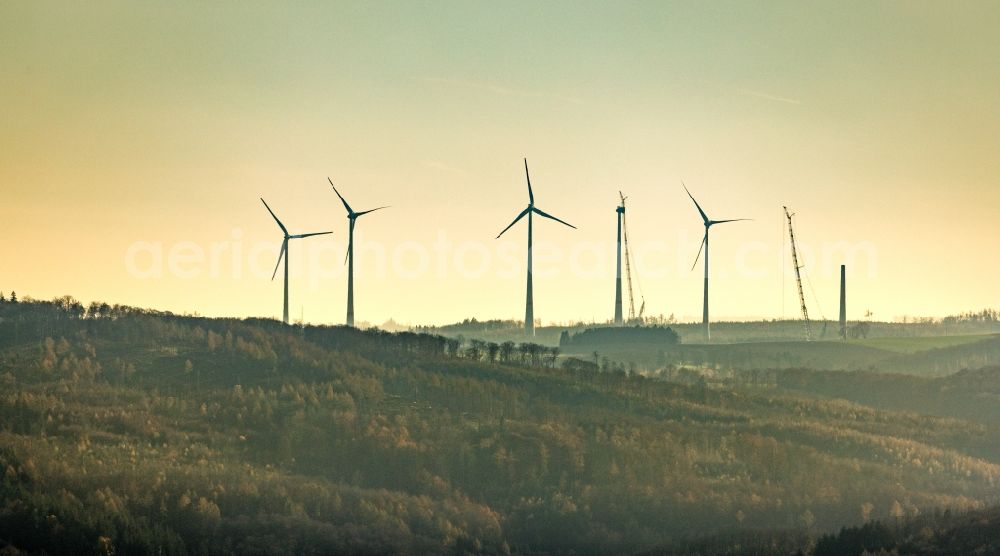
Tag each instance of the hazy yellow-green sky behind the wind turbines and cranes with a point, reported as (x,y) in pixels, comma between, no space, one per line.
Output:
(136,138)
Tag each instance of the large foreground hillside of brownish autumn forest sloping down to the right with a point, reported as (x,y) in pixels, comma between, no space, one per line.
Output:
(137,432)
